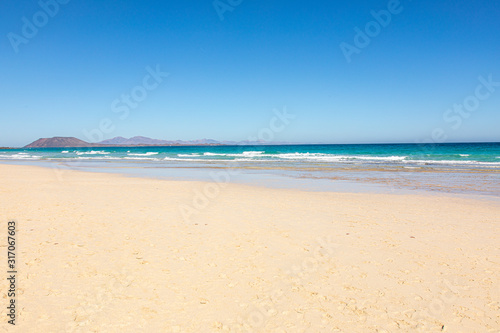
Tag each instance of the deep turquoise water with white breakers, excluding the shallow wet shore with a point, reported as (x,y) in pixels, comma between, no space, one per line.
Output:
(461,154)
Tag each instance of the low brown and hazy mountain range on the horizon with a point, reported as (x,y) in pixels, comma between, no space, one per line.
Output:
(136,141)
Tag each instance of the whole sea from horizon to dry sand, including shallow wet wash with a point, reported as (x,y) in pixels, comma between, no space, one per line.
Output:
(466,168)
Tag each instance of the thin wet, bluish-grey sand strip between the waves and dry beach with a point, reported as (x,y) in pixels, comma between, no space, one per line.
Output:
(263,178)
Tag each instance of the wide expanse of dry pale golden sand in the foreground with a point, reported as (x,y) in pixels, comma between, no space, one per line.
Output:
(107,253)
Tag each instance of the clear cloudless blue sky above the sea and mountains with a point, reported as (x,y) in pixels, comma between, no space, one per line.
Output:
(285,71)
